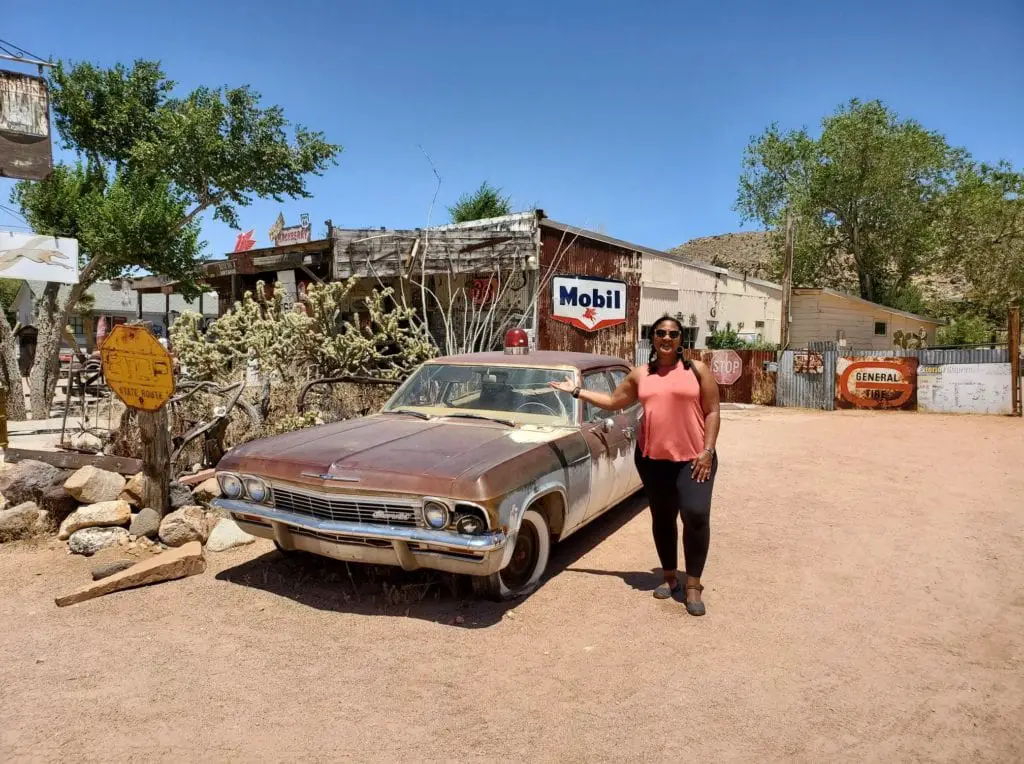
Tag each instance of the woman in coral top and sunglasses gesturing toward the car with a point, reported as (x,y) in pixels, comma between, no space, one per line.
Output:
(675,453)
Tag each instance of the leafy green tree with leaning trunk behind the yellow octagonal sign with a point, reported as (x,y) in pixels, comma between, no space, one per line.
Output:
(149,164)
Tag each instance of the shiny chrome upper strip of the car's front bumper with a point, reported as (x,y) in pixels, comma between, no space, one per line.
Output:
(483,543)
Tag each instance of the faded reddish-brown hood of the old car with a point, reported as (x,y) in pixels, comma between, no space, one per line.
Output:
(387,453)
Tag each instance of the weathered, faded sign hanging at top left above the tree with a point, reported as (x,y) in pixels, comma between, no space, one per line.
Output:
(25,128)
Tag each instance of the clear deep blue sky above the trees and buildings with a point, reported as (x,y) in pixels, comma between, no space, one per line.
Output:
(627,118)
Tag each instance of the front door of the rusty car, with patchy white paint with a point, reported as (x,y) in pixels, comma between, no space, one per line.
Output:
(610,444)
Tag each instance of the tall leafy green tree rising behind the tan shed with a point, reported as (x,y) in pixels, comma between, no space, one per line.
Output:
(869,193)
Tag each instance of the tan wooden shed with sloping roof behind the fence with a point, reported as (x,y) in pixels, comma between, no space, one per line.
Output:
(828,316)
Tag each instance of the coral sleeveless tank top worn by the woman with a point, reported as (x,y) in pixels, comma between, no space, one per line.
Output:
(673,426)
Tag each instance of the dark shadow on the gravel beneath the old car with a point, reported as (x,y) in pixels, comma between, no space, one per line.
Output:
(430,596)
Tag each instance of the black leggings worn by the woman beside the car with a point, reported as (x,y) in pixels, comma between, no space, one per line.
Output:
(672,491)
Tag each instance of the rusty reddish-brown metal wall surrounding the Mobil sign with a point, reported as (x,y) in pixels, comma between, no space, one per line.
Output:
(564,253)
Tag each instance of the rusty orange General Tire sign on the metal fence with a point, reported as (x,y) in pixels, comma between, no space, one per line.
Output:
(877,384)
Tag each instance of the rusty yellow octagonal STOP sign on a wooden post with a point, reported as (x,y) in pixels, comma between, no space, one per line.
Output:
(138,368)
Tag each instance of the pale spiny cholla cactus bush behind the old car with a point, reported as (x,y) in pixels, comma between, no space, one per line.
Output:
(289,343)
